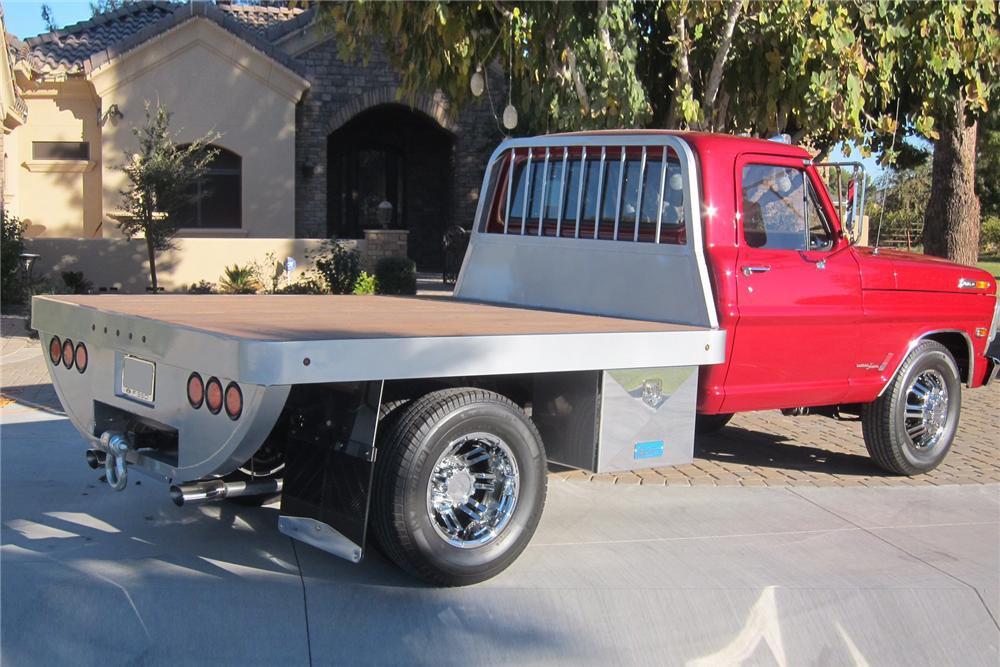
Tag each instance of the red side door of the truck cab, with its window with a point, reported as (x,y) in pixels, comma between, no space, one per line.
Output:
(799,293)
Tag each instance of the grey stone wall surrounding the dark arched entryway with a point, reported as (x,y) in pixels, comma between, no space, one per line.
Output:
(339,91)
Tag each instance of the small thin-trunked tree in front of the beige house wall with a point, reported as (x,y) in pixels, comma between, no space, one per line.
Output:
(162,176)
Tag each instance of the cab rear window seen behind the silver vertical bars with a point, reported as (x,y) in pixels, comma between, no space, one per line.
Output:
(605,193)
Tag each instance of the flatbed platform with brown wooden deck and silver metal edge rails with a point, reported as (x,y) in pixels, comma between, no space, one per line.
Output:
(298,339)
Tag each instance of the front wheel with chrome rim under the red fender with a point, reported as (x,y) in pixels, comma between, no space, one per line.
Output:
(909,429)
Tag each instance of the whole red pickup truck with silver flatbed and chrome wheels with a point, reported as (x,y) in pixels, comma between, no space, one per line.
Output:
(620,290)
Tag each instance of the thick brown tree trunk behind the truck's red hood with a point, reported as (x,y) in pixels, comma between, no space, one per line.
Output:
(951,222)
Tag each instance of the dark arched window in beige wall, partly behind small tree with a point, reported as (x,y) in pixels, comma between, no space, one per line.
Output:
(217,199)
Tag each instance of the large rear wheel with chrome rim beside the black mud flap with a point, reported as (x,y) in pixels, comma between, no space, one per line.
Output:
(459,486)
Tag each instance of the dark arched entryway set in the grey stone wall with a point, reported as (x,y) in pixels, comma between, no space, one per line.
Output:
(391,153)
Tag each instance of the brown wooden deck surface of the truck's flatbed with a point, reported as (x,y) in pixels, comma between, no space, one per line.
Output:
(305,318)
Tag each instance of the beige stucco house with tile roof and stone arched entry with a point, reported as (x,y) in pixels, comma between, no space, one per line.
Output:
(310,144)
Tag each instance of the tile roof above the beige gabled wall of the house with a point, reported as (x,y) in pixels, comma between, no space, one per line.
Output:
(89,44)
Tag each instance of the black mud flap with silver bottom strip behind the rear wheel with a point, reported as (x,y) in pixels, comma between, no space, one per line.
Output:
(330,457)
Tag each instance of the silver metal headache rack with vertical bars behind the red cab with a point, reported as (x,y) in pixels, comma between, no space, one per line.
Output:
(603,223)
